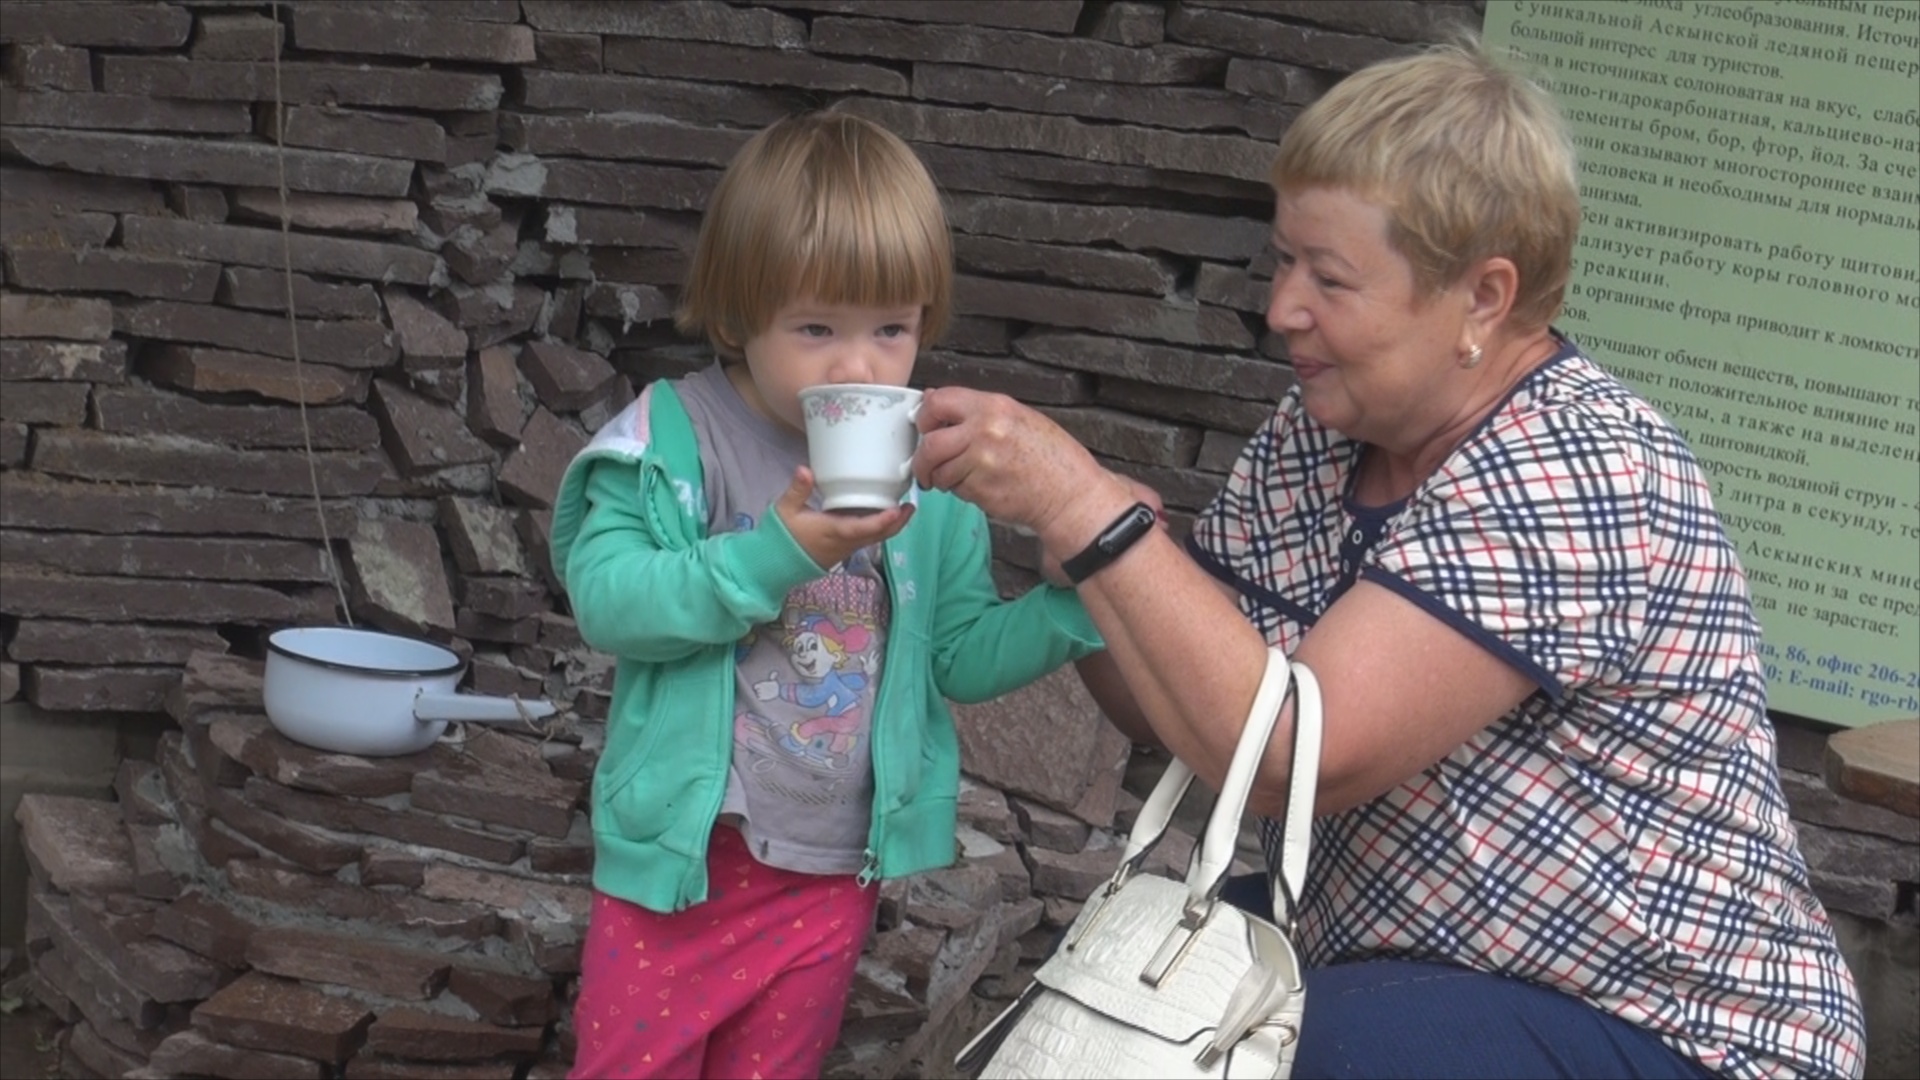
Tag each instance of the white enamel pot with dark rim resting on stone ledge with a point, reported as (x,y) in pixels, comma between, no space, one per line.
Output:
(372,693)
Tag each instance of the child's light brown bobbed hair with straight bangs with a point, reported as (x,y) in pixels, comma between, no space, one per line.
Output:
(825,207)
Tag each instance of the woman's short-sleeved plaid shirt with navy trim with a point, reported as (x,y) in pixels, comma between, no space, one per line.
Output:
(1621,835)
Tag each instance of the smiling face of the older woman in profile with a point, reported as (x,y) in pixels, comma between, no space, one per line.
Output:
(1372,360)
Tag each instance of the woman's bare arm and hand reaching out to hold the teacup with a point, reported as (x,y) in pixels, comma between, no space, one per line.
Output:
(1401,687)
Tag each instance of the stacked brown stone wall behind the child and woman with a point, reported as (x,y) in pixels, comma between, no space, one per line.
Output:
(487,210)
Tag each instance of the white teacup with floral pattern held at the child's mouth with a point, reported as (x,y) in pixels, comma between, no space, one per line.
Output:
(861,443)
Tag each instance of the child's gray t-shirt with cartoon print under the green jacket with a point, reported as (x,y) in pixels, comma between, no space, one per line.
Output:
(802,785)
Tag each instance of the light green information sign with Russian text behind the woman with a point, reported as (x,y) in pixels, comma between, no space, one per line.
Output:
(1750,262)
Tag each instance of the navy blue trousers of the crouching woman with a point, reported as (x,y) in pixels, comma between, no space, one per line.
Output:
(1431,1019)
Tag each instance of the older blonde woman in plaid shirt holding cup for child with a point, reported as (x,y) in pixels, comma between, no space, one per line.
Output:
(1550,839)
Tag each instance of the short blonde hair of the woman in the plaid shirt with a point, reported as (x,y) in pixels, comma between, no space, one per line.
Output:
(1470,160)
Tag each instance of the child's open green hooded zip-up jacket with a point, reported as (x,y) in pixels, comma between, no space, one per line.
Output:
(669,602)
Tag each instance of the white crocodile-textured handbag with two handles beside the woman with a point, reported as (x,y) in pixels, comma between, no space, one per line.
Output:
(1163,979)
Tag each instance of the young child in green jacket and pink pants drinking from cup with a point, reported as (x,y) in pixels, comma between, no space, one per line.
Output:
(779,733)
